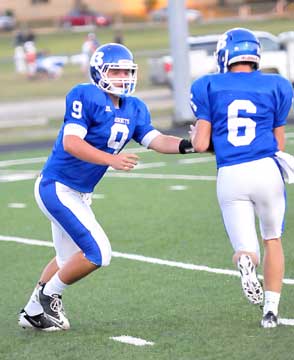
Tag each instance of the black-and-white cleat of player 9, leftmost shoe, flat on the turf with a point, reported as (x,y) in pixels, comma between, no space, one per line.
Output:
(37,322)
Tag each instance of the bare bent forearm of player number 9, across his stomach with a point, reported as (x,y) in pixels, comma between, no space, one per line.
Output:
(84,151)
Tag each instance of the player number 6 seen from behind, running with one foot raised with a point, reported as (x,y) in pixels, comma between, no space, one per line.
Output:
(243,112)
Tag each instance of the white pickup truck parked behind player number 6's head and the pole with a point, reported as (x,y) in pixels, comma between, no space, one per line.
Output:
(274,58)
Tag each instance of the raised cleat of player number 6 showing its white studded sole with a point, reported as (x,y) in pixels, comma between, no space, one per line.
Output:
(250,284)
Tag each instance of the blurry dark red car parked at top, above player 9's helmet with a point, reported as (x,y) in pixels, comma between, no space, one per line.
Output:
(84,18)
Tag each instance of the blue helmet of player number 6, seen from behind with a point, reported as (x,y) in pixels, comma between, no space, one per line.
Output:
(237,45)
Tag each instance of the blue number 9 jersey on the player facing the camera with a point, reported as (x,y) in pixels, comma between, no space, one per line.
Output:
(107,129)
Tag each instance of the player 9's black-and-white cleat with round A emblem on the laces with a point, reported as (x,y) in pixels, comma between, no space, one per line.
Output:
(53,309)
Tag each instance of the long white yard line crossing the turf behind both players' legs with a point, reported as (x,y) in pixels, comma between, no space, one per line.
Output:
(143,259)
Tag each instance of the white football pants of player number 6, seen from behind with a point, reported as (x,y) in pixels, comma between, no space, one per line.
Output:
(246,189)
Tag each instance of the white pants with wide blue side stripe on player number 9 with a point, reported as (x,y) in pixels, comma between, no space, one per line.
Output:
(73,222)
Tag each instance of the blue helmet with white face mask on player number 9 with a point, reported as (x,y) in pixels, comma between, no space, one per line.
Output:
(113,56)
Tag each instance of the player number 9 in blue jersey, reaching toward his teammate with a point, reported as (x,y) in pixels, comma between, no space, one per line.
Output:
(100,119)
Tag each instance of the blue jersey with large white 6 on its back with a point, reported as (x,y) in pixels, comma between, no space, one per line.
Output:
(243,109)
